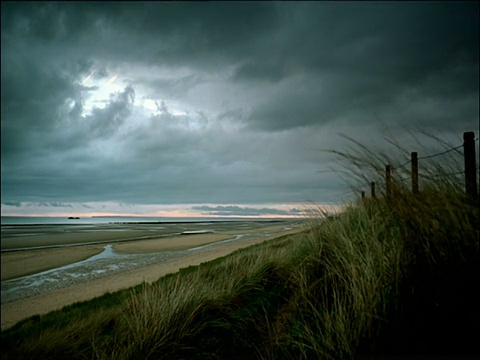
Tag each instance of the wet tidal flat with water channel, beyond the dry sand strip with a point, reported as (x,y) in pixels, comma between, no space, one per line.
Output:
(132,249)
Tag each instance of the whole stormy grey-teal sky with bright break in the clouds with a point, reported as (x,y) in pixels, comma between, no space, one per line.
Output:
(224,108)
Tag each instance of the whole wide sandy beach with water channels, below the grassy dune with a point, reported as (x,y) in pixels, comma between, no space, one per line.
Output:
(47,267)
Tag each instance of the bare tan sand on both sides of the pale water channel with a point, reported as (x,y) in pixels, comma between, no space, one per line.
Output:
(220,245)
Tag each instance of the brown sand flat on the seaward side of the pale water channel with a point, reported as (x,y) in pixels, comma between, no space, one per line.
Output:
(27,261)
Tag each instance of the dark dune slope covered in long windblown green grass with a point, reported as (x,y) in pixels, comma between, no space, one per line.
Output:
(386,277)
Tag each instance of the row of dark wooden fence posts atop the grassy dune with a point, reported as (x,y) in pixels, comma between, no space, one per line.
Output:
(470,170)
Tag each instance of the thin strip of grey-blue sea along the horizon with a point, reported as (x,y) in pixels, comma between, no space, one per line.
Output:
(50,220)
